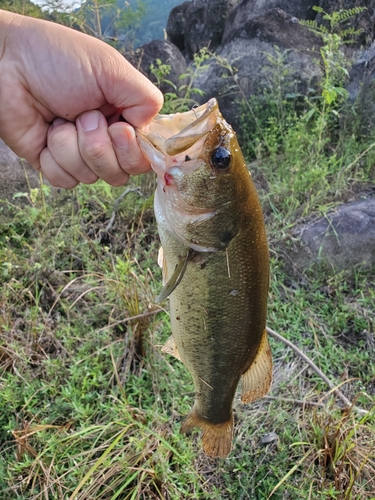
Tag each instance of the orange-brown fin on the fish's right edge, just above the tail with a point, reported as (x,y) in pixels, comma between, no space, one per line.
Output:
(256,381)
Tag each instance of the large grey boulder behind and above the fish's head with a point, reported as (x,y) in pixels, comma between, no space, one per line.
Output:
(248,51)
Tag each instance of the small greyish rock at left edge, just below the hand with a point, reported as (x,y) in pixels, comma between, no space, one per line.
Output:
(13,175)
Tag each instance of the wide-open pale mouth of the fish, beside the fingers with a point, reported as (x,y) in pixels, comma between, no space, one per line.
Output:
(170,135)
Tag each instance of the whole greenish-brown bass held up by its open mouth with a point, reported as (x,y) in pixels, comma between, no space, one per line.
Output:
(215,264)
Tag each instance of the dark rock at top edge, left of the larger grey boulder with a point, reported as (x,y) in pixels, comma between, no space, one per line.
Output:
(199,23)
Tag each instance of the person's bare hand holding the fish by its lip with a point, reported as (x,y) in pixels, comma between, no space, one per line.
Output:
(61,95)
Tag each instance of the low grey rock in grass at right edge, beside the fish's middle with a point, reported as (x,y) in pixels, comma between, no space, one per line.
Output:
(342,239)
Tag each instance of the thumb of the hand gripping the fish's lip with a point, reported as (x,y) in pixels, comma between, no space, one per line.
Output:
(127,89)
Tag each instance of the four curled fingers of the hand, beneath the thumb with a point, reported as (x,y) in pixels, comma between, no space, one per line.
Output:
(88,150)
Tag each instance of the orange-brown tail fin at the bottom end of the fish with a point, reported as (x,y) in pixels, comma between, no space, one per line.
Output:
(216,439)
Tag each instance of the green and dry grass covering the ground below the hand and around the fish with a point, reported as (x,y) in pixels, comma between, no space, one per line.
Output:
(90,408)
